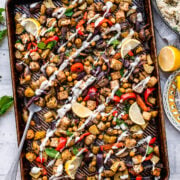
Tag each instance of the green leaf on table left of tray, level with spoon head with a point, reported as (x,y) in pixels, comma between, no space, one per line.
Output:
(5,103)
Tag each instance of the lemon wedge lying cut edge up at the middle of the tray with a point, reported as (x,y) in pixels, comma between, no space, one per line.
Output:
(81,110)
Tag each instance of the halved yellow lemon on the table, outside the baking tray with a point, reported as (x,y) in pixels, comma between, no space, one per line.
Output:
(169,58)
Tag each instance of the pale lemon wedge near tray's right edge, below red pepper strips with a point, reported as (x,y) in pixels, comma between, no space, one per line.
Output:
(135,114)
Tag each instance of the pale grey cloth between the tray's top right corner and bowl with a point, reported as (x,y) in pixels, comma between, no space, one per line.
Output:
(166,34)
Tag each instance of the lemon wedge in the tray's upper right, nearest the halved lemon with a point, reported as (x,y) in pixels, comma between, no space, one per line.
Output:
(129,45)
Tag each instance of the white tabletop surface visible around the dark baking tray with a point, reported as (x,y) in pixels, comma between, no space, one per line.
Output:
(8,139)
